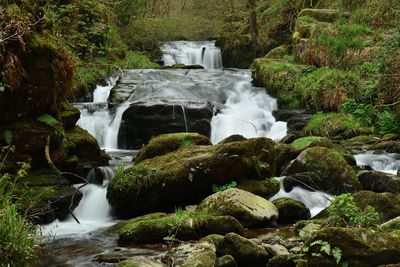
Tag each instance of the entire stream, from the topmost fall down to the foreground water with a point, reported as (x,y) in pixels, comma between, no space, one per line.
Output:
(238,108)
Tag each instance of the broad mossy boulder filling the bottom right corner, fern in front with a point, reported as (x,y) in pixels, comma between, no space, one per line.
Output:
(359,247)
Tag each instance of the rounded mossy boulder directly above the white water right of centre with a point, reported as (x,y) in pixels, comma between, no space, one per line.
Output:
(336,175)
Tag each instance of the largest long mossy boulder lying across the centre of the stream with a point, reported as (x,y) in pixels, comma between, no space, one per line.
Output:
(185,176)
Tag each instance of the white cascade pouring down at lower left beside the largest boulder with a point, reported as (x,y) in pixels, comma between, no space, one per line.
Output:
(93,212)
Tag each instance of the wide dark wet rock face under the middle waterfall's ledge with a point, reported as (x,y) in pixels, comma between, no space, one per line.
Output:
(143,120)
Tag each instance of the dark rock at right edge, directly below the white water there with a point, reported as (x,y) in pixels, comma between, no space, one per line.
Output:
(379,181)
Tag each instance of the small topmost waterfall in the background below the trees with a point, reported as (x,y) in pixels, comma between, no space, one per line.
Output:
(190,53)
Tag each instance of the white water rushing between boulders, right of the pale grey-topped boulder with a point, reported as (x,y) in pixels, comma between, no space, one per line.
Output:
(315,201)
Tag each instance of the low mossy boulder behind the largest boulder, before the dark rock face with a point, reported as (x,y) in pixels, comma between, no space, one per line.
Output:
(166,143)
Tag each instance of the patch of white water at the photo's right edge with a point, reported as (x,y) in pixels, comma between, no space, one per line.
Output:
(385,162)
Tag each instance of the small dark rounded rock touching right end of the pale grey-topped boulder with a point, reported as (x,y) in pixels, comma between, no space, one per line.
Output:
(291,210)
